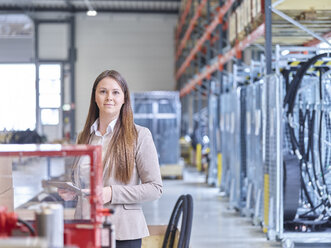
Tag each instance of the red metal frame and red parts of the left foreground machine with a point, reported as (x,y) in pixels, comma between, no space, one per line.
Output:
(85,233)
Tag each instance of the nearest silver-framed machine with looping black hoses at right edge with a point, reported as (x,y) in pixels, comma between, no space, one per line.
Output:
(302,177)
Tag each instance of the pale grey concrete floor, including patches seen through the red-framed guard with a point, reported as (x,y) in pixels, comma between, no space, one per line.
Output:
(214,224)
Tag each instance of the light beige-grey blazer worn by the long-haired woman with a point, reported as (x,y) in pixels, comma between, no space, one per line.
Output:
(145,185)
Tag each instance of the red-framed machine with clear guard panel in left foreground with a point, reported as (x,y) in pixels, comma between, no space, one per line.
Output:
(31,176)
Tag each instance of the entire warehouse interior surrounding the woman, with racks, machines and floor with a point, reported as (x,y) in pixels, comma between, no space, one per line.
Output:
(236,95)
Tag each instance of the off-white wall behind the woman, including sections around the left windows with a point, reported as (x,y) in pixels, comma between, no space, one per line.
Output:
(139,46)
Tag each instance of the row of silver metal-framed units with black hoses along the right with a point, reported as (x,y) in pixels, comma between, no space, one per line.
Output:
(275,136)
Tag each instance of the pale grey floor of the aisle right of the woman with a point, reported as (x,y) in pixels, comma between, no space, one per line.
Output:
(213,225)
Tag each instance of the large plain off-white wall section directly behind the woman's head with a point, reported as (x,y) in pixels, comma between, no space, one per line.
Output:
(140,47)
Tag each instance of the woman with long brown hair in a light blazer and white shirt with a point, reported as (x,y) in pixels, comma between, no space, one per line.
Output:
(131,173)
